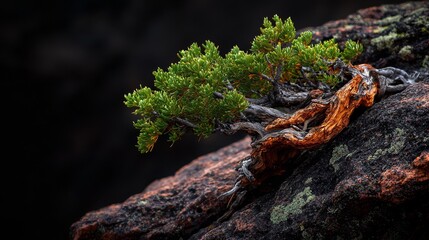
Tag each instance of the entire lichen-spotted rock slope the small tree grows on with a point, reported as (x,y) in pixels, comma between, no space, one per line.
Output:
(371,182)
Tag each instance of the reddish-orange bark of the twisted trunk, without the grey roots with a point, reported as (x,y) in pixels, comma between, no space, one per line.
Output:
(277,147)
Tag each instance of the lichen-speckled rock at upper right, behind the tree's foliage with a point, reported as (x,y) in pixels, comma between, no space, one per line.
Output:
(393,35)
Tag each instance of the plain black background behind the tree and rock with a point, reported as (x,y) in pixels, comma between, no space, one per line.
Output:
(66,67)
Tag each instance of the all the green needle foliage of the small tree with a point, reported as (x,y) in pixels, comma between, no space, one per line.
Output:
(204,88)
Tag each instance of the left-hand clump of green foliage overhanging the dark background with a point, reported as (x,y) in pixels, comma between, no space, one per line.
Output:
(186,91)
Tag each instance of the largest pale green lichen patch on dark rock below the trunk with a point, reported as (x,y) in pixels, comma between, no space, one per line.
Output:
(281,213)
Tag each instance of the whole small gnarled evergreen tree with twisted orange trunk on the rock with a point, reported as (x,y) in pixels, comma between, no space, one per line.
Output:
(287,92)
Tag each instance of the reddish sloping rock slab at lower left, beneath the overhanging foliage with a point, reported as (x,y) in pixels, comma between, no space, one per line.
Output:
(172,207)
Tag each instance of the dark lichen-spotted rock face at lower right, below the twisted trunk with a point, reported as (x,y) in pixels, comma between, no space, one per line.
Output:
(371,182)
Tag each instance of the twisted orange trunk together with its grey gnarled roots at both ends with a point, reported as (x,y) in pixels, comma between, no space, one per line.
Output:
(282,140)
